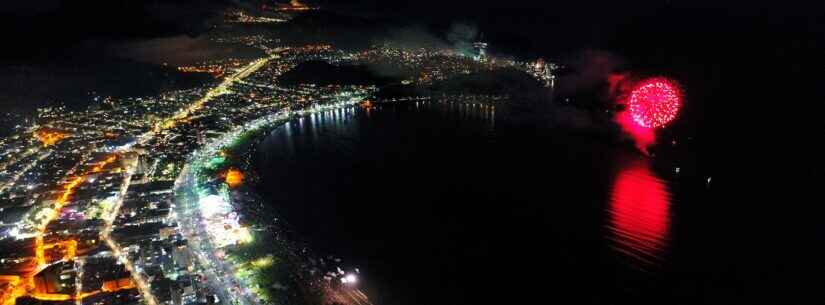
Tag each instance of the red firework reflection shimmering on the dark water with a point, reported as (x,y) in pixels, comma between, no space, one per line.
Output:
(640,213)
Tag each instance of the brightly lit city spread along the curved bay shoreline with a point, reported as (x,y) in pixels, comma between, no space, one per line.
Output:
(130,201)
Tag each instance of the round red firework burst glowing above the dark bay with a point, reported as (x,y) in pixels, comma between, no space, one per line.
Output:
(655,102)
